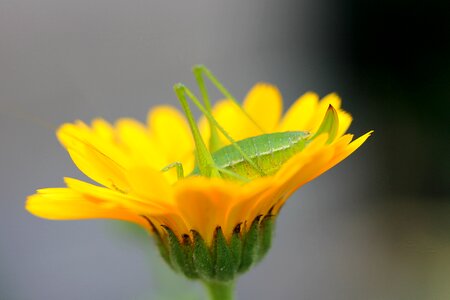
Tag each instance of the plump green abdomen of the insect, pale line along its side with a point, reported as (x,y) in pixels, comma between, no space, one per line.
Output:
(268,151)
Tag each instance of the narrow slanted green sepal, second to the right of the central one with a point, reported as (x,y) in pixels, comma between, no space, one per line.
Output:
(250,246)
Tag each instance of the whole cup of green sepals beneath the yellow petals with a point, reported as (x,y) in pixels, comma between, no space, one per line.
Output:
(223,259)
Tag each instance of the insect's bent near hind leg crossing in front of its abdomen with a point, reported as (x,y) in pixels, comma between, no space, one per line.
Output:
(181,89)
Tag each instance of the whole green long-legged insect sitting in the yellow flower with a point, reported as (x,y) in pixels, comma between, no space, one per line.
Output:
(247,159)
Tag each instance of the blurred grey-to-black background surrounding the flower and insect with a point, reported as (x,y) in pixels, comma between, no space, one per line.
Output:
(375,227)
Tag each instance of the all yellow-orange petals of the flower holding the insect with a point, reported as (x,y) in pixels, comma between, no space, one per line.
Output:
(125,159)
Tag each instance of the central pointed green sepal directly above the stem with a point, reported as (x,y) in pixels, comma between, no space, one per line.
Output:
(224,268)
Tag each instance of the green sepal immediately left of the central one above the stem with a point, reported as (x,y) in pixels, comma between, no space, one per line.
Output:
(202,257)
